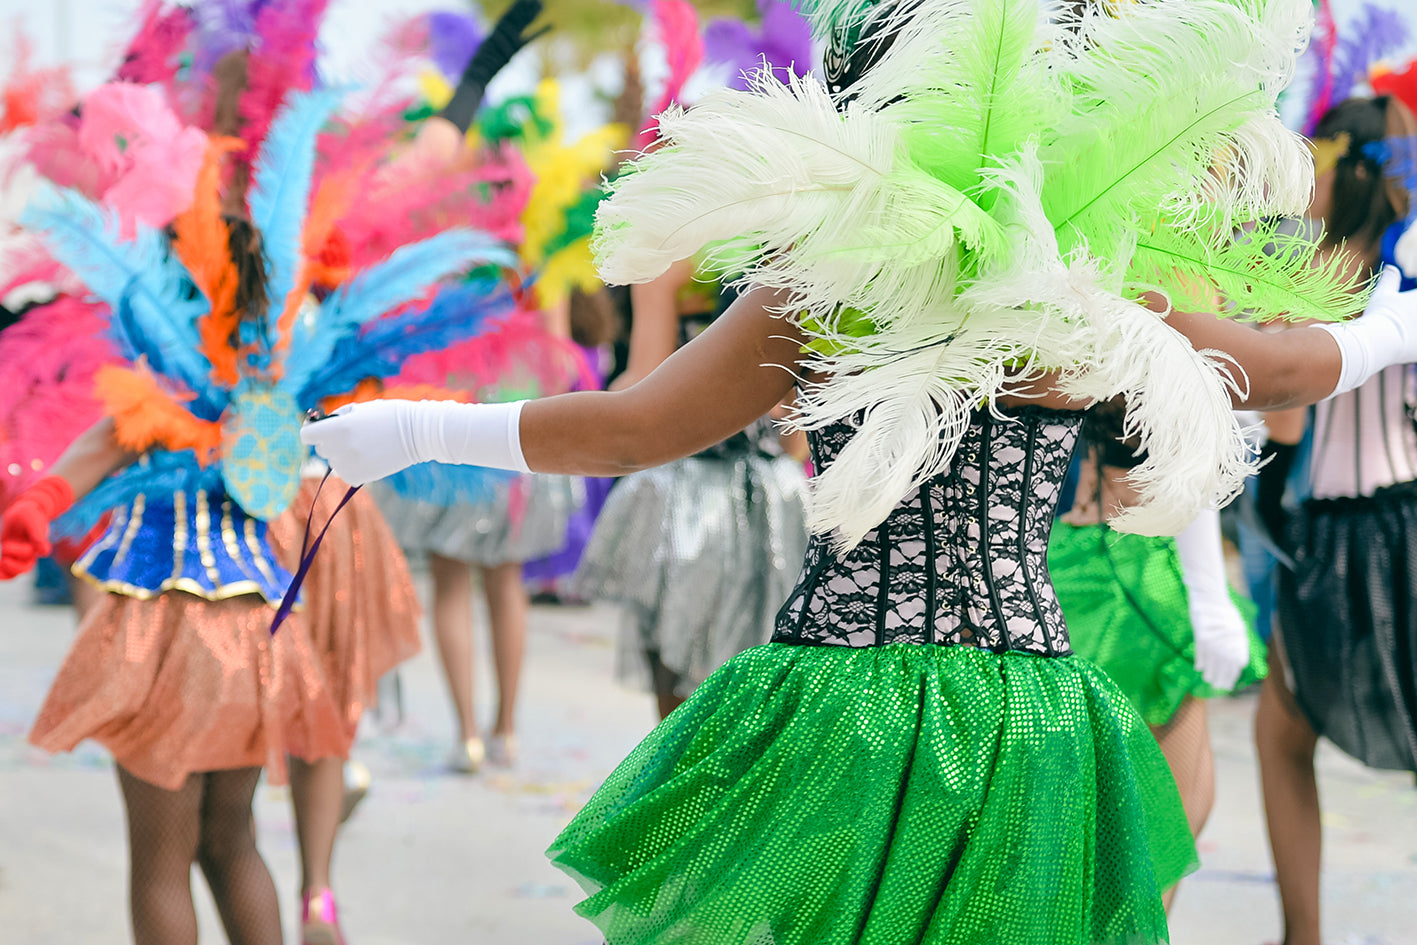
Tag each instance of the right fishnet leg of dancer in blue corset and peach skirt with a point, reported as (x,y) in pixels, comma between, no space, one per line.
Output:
(239,878)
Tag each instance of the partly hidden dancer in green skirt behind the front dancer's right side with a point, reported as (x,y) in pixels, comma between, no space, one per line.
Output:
(1156,614)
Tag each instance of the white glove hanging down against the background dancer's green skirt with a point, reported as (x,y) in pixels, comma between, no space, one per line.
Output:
(1221,633)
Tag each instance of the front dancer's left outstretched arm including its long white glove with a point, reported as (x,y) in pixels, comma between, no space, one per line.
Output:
(732,375)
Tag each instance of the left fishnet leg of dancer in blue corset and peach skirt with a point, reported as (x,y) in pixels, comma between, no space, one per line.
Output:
(164,832)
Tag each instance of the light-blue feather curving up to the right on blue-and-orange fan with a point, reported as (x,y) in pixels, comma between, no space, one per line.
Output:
(406,277)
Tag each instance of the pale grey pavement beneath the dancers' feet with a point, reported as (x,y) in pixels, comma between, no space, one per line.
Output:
(433,858)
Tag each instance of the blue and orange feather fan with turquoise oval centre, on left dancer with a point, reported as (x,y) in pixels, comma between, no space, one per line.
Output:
(206,385)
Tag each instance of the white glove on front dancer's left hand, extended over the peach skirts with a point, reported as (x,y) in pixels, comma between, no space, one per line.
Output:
(379,438)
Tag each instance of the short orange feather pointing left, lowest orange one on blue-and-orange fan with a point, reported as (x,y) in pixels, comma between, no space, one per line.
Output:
(145,416)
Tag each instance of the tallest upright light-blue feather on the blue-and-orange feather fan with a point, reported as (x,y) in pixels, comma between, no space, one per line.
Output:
(281,188)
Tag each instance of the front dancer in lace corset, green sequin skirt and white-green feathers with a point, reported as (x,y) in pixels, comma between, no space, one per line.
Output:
(943,249)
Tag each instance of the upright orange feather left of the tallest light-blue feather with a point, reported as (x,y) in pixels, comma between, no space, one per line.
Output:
(202,246)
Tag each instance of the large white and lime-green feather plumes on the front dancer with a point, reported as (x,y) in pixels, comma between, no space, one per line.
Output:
(984,198)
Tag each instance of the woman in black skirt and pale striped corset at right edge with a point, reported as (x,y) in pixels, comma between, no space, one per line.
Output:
(1344,664)
